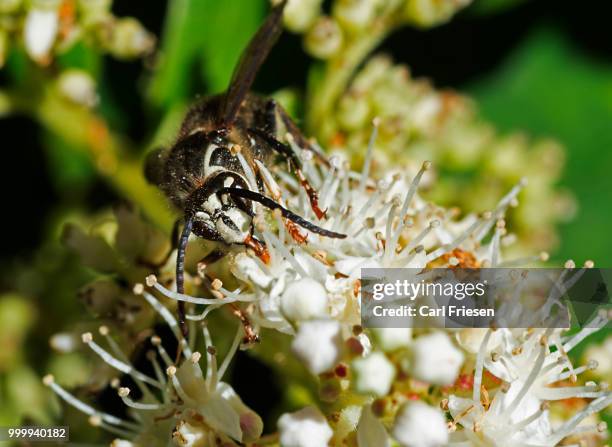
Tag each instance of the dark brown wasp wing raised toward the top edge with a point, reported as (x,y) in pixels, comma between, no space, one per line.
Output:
(248,66)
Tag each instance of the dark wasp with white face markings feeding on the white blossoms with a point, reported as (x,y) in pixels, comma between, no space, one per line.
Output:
(204,177)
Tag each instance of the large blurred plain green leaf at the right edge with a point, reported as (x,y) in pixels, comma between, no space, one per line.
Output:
(549,88)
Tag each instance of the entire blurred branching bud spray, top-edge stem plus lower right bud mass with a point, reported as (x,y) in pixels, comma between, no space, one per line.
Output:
(417,122)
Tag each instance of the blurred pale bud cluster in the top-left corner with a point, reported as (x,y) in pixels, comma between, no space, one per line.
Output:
(47,27)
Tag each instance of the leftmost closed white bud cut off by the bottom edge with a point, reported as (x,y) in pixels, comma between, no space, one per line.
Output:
(304,428)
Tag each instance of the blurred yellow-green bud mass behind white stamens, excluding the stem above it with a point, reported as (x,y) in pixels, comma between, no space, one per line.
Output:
(418,122)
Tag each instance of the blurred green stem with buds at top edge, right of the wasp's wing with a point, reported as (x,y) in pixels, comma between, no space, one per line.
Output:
(343,39)
